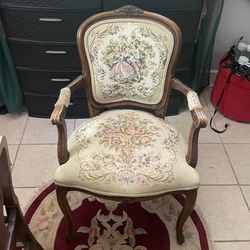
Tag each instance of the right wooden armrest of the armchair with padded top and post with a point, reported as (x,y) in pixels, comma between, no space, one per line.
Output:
(199,120)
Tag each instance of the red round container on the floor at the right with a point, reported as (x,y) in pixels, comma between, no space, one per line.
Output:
(235,103)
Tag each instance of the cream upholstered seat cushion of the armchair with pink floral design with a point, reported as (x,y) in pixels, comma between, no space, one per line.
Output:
(127,153)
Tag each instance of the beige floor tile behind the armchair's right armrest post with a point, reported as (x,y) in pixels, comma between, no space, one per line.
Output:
(183,123)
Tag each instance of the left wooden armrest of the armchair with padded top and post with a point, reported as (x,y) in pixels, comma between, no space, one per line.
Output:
(58,117)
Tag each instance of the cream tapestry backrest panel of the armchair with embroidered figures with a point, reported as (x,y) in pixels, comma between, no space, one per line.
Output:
(128,59)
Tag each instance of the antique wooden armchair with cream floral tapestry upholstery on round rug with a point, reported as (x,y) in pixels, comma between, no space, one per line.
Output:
(128,58)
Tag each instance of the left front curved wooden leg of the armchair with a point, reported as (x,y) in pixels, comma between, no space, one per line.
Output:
(61,194)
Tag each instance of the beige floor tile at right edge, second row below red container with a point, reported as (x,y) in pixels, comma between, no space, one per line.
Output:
(239,155)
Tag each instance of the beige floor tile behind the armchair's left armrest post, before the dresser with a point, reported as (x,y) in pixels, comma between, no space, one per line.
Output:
(41,131)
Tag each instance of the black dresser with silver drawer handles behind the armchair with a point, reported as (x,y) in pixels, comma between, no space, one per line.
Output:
(42,38)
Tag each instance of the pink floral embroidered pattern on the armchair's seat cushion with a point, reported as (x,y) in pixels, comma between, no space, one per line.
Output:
(126,149)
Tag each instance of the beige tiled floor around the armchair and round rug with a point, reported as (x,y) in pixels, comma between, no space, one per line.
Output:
(224,167)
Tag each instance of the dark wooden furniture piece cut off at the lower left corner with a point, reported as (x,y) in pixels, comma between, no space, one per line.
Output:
(14,229)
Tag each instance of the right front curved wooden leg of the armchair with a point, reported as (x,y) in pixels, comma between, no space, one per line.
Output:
(186,211)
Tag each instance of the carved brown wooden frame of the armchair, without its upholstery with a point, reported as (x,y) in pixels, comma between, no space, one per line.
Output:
(198,116)
